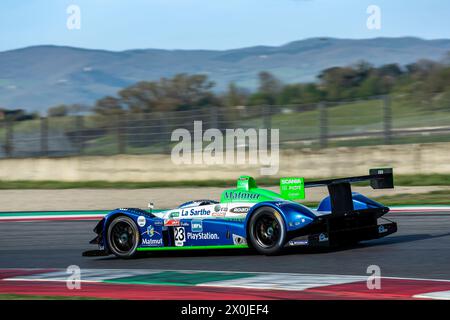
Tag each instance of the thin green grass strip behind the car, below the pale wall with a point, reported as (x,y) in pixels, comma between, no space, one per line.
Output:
(400,180)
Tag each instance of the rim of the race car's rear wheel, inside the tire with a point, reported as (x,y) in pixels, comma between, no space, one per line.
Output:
(267,230)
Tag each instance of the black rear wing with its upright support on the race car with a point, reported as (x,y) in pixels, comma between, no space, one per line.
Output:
(340,189)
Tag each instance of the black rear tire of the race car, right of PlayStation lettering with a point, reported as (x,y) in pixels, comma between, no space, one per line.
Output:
(267,231)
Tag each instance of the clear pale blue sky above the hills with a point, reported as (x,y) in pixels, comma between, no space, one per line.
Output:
(212,24)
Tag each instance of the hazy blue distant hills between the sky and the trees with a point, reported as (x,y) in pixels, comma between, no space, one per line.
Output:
(36,78)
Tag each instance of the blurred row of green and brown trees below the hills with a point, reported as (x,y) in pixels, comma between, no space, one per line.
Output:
(422,80)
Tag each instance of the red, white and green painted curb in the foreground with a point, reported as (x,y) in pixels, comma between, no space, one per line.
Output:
(216,285)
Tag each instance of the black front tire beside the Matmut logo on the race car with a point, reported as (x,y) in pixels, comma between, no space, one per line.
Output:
(123,237)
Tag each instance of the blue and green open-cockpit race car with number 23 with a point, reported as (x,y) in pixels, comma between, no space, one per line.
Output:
(252,217)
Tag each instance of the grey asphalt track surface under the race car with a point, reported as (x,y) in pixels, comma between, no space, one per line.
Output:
(420,249)
